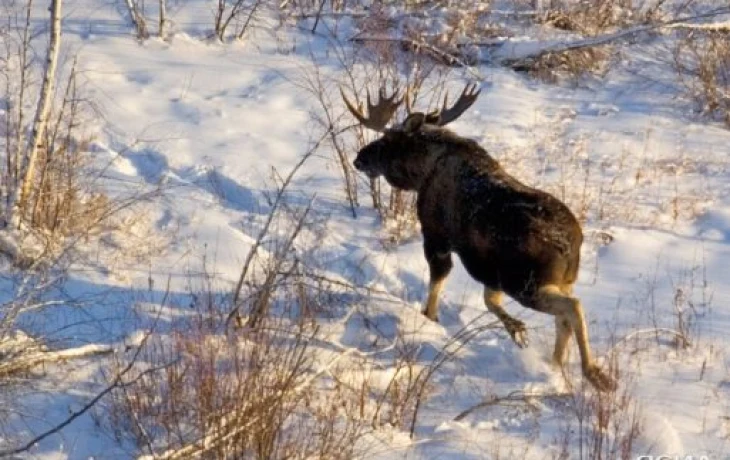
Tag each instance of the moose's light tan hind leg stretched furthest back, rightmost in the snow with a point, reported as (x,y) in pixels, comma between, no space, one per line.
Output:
(554,301)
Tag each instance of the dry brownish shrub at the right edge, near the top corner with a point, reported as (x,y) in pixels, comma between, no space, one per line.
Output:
(702,63)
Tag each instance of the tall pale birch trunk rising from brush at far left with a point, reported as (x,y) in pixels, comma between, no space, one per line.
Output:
(42,112)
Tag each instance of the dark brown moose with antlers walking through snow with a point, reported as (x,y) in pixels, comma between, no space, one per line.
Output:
(510,237)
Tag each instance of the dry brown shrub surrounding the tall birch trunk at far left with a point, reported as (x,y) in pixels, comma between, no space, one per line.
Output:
(66,197)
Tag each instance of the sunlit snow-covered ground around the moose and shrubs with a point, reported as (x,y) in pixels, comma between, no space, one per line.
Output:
(209,121)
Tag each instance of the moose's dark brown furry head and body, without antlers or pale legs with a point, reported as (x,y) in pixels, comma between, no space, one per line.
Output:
(509,236)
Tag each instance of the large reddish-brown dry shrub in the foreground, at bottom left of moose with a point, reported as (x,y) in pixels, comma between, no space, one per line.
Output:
(253,393)
